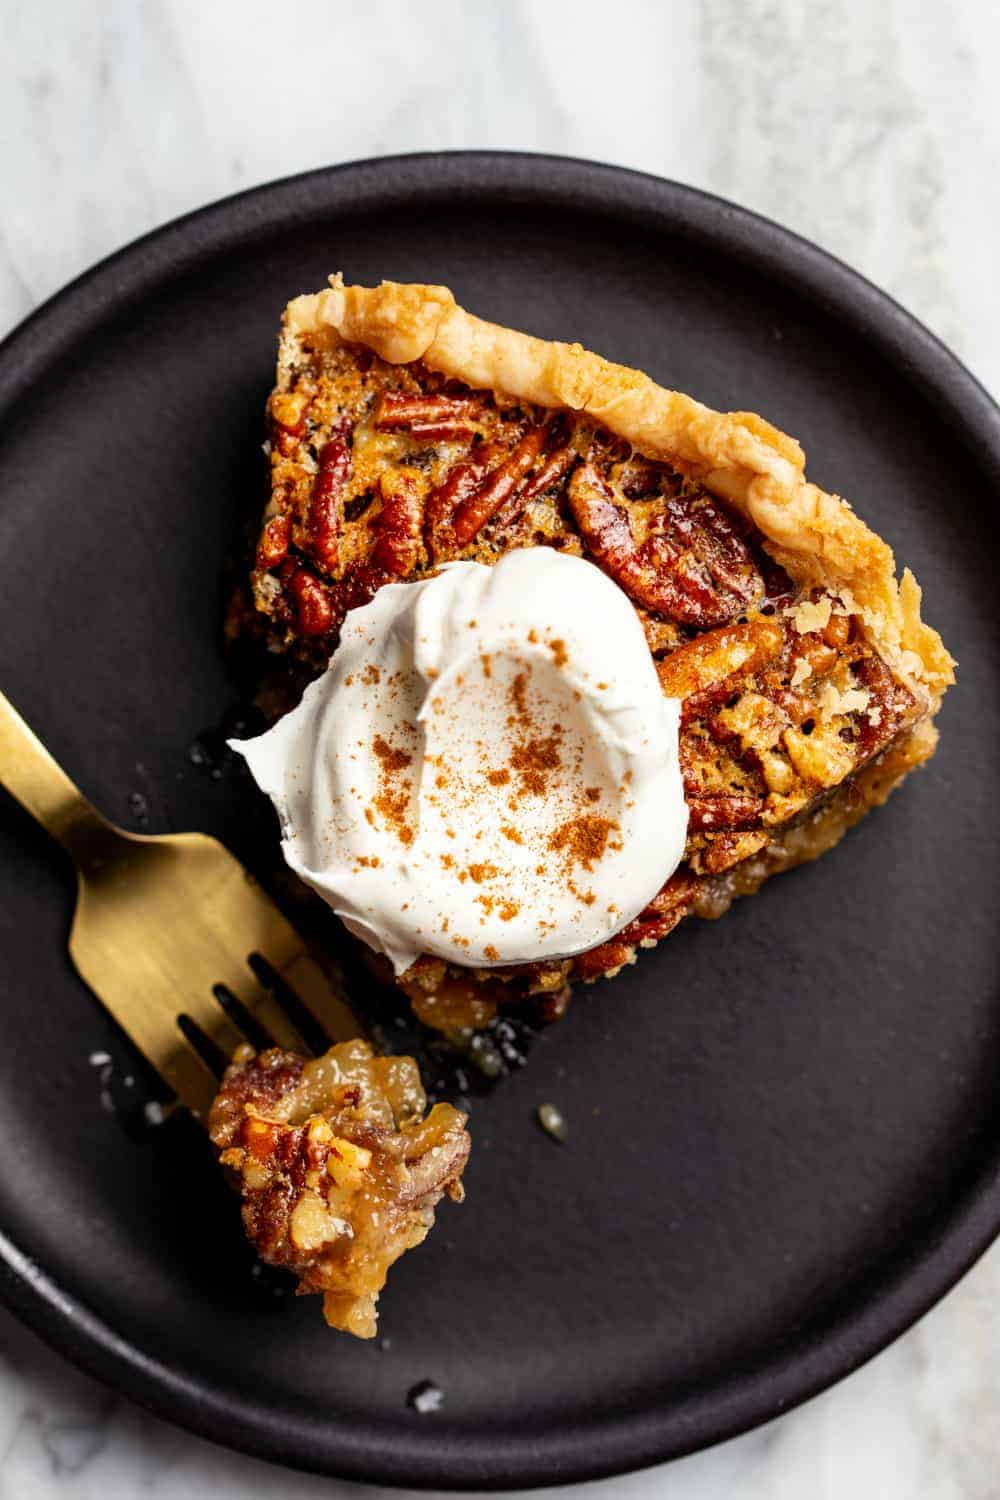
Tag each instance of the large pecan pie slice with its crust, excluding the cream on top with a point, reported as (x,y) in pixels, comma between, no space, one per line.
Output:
(406,433)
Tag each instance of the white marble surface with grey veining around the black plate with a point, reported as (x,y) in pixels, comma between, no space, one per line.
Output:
(872,127)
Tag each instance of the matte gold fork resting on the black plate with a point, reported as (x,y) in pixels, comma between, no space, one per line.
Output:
(166,928)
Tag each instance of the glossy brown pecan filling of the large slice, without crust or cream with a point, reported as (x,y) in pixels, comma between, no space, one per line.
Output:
(792,721)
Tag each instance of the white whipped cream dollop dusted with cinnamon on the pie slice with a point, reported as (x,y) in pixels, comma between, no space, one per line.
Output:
(488,772)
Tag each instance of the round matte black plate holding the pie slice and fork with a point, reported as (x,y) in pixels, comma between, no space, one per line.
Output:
(785,1139)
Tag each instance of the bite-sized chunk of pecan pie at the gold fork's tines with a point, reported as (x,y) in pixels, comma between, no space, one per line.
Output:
(338,1166)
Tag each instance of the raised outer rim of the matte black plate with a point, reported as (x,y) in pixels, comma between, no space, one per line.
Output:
(927,1273)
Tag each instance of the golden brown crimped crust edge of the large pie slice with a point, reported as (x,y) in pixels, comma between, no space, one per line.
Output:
(740,457)
